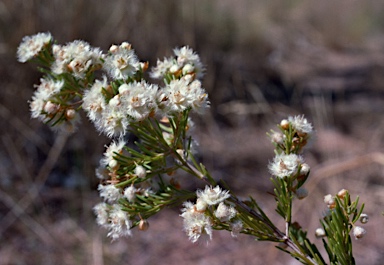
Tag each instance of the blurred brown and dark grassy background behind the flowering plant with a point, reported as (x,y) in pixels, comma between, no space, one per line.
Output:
(265,60)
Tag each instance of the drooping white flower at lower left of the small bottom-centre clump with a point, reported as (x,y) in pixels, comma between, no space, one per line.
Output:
(196,223)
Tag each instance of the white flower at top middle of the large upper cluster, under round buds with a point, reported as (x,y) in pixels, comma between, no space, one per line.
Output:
(122,62)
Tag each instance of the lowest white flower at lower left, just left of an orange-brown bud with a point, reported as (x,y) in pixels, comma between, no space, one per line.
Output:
(119,223)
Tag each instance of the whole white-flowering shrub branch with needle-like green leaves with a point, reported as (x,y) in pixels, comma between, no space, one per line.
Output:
(137,182)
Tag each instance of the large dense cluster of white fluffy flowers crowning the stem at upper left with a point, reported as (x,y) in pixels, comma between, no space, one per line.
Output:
(122,96)
